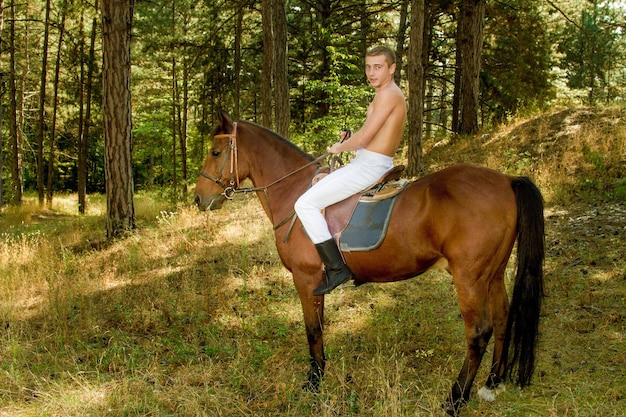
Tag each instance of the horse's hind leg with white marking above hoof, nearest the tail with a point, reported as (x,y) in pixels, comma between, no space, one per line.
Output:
(499,307)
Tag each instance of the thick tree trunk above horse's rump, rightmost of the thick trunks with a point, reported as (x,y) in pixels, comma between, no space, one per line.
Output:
(472,20)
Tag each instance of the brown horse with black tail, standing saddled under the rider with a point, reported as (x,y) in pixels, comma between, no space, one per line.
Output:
(465,217)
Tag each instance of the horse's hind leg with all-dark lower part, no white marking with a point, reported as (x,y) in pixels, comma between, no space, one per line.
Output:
(478,331)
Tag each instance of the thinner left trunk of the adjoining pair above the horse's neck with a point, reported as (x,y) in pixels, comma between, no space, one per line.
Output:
(268,65)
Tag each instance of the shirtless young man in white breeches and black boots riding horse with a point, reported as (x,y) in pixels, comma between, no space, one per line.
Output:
(375,144)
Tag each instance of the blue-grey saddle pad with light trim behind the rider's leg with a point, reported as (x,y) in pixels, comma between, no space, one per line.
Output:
(367,226)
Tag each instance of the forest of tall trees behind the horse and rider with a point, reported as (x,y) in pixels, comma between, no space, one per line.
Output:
(293,66)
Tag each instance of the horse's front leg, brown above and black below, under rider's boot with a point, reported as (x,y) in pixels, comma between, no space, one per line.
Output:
(313,310)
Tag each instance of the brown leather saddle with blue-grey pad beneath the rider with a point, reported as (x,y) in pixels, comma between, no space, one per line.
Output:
(359,223)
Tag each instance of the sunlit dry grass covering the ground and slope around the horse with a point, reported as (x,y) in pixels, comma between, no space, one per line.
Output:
(194,315)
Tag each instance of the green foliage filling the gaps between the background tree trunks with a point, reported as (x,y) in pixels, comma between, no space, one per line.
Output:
(184,69)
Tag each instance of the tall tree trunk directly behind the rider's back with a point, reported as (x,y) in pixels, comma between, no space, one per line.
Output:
(415,70)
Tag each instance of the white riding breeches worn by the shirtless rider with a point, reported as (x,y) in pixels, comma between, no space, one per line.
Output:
(361,173)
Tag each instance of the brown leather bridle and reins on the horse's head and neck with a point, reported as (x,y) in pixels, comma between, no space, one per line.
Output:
(232,187)
